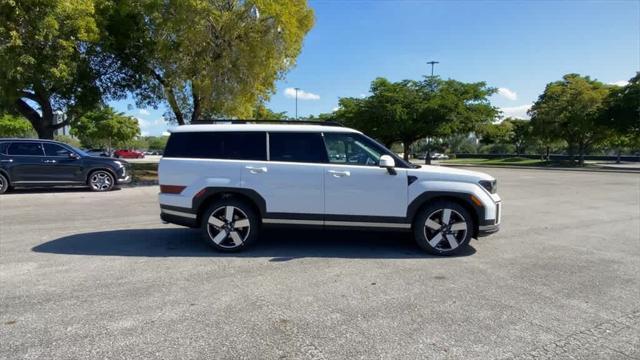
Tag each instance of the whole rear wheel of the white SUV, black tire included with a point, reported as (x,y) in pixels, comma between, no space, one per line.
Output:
(218,231)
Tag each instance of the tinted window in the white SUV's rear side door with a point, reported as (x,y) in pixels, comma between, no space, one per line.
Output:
(297,147)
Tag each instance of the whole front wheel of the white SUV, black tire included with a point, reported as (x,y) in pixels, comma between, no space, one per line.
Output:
(441,236)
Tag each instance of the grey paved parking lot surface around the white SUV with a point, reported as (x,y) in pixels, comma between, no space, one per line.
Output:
(92,276)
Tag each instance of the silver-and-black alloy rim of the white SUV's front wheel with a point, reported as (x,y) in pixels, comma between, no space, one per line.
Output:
(445,229)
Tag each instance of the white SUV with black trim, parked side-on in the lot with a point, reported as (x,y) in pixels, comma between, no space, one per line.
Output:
(234,178)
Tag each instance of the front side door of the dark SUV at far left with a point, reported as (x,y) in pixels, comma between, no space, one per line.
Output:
(60,165)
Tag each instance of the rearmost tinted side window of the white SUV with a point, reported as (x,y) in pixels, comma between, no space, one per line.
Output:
(218,145)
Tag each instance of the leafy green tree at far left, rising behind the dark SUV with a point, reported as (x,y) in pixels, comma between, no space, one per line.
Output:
(50,61)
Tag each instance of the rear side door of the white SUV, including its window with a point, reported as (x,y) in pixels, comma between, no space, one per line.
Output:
(291,181)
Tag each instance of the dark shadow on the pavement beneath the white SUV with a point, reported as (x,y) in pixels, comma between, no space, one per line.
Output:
(278,244)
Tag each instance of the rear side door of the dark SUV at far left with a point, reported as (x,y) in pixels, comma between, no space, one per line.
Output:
(26,162)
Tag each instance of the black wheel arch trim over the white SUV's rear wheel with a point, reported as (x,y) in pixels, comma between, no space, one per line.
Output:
(207,196)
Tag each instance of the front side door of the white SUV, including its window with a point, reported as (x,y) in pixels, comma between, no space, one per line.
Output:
(356,189)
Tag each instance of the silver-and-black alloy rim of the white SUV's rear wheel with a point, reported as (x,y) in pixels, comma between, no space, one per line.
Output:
(228,227)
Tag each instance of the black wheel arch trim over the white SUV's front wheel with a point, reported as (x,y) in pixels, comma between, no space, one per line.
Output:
(462,199)
